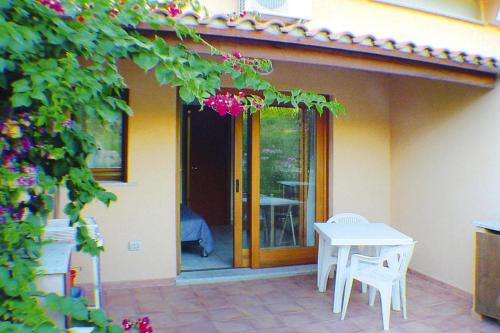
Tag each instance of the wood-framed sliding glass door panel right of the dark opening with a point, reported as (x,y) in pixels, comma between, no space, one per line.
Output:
(280,186)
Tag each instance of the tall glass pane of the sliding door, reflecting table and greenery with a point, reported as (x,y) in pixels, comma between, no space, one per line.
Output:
(287,177)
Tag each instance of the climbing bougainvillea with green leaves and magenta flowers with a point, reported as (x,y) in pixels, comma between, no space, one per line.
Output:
(59,66)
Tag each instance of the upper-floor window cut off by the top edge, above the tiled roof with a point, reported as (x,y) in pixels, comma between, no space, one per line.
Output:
(468,10)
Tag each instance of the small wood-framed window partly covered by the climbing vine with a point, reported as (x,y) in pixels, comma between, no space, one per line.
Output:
(109,162)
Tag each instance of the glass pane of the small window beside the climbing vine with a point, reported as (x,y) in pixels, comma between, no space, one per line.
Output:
(109,144)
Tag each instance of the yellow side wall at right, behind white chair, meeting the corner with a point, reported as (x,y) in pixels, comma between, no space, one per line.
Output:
(445,171)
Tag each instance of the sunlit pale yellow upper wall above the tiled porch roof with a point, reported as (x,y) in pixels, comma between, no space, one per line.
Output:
(367,17)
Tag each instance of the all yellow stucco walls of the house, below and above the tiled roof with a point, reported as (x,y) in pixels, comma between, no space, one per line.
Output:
(414,153)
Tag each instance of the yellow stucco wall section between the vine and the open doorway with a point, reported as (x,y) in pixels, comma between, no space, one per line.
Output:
(145,209)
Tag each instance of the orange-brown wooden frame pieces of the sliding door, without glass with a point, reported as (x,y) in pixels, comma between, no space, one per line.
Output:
(254,256)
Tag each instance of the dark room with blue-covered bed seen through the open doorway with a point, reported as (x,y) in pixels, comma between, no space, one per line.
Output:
(206,225)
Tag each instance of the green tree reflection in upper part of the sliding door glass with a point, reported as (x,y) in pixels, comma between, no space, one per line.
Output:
(280,131)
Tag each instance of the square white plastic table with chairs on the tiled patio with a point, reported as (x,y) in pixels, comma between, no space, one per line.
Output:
(344,236)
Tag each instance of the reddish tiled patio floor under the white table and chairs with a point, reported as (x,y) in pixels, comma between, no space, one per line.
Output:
(290,305)
